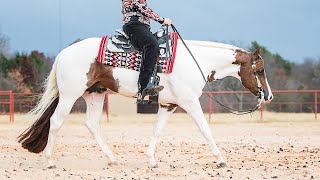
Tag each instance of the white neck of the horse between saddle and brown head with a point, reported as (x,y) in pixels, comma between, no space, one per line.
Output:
(215,57)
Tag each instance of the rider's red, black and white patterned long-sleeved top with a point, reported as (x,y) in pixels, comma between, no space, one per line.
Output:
(138,11)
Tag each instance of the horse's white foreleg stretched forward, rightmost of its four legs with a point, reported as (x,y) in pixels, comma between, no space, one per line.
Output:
(193,108)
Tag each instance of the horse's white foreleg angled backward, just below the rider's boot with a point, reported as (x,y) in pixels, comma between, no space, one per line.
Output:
(162,117)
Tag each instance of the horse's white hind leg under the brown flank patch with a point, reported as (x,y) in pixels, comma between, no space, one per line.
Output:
(94,110)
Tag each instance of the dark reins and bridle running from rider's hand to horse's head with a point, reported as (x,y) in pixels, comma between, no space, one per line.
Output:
(260,93)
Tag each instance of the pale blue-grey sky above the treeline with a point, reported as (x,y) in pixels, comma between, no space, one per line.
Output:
(288,27)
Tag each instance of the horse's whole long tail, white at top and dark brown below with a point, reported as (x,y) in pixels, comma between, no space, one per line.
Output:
(35,138)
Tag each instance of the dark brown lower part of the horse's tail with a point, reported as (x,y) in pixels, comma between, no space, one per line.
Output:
(35,138)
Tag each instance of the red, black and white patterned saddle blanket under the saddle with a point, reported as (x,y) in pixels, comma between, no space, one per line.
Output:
(133,60)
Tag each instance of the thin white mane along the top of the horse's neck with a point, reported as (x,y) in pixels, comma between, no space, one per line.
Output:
(214,45)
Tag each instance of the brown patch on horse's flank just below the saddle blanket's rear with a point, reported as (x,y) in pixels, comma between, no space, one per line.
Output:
(100,78)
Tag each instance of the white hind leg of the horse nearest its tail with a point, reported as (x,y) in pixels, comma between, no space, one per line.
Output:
(62,111)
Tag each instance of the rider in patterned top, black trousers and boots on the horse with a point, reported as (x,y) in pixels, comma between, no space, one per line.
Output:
(136,24)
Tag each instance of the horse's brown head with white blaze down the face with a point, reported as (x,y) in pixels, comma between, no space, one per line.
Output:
(253,75)
